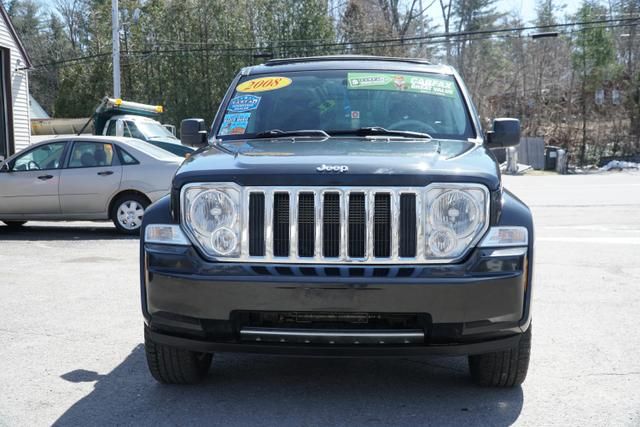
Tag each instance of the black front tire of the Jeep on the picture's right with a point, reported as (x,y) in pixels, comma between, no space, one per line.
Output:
(503,368)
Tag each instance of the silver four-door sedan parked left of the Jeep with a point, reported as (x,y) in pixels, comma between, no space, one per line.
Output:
(85,178)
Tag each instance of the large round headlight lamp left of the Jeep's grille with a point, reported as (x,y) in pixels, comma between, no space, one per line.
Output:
(211,210)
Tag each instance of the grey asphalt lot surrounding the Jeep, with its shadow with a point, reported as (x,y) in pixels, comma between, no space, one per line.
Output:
(71,332)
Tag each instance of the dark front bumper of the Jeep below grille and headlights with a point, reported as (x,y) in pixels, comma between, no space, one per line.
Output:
(477,306)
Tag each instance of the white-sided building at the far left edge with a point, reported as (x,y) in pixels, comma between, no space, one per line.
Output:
(15,128)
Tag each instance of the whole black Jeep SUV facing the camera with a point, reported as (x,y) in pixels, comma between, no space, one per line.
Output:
(340,206)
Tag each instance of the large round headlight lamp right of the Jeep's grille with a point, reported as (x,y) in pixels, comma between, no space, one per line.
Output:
(456,210)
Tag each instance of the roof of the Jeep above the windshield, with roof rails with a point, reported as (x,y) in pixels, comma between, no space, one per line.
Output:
(350,62)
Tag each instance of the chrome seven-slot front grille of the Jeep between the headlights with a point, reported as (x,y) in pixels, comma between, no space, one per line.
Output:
(314,225)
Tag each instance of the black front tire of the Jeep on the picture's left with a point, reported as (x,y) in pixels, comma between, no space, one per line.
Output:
(171,365)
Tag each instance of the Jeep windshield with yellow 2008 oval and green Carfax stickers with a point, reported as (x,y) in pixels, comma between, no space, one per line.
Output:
(343,101)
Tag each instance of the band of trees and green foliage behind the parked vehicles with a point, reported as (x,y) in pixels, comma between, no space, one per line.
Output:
(184,53)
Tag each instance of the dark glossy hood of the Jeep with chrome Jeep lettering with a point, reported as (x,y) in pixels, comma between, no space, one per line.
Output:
(370,162)
